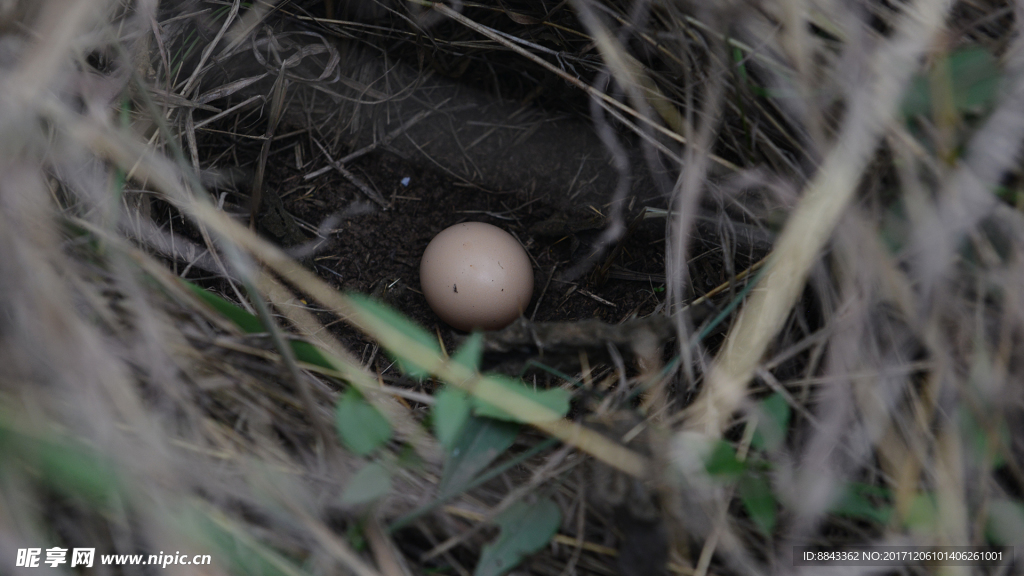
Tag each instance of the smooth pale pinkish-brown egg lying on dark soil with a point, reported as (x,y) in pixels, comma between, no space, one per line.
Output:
(477,276)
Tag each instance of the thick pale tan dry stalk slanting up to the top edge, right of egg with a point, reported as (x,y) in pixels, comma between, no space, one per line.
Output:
(812,225)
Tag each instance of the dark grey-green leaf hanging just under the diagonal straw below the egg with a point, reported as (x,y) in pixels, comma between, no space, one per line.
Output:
(481,441)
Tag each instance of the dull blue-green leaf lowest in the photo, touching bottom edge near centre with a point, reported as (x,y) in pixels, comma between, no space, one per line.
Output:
(526,529)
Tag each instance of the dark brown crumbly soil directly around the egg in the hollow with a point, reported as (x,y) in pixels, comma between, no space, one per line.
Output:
(378,252)
